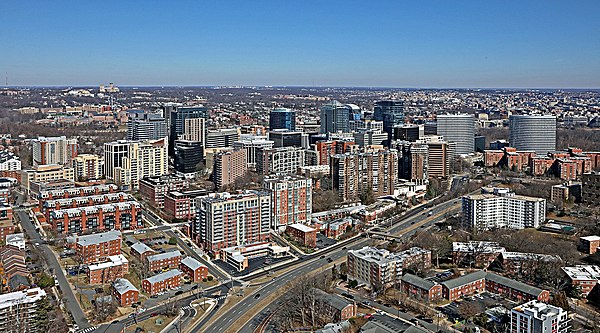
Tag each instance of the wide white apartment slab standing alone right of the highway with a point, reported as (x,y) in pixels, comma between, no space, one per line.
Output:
(500,208)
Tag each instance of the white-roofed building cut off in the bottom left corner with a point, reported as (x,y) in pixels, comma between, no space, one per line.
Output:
(17,310)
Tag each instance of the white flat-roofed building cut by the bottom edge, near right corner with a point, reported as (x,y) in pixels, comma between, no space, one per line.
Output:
(535,317)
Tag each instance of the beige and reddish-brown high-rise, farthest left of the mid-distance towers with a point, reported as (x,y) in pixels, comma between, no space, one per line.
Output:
(54,150)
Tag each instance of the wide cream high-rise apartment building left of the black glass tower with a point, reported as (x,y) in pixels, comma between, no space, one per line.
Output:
(126,162)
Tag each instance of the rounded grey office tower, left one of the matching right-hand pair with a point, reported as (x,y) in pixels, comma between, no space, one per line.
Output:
(459,129)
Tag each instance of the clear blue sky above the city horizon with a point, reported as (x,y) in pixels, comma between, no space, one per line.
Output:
(393,43)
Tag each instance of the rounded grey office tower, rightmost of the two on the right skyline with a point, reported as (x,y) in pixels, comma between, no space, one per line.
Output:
(533,132)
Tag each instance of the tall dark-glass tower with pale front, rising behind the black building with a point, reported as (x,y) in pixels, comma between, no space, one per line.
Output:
(181,123)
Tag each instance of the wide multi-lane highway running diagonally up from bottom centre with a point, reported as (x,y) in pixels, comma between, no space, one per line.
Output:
(236,315)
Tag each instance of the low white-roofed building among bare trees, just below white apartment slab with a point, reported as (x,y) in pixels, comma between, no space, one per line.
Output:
(475,253)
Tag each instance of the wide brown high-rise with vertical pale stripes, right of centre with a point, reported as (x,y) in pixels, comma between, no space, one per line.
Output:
(370,171)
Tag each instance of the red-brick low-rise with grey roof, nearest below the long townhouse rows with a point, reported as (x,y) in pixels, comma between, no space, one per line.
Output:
(98,247)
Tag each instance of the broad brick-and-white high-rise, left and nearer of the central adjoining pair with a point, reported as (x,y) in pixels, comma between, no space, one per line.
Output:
(224,220)
